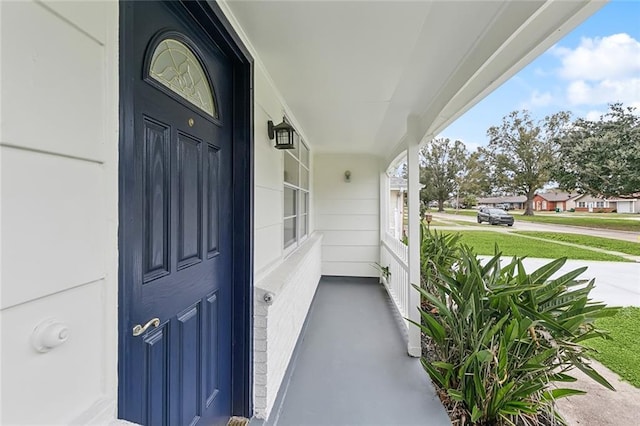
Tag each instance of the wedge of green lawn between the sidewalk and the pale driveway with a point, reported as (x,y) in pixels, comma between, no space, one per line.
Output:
(483,243)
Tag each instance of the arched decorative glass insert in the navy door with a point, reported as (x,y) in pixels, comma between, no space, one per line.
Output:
(175,66)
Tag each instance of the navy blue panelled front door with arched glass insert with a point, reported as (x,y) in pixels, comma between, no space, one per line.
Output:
(176,223)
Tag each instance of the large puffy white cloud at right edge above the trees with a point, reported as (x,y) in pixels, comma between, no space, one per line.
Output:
(601,70)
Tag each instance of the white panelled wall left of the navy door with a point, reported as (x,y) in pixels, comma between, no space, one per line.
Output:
(59,140)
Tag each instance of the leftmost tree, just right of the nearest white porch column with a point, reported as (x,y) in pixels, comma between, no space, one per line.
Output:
(441,161)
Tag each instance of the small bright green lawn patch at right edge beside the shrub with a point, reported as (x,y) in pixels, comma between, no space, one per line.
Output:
(622,353)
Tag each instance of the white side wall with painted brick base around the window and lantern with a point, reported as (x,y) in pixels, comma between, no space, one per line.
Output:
(291,276)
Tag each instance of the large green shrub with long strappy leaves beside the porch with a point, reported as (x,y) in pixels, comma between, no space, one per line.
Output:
(501,336)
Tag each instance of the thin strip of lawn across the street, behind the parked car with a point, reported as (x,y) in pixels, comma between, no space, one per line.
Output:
(613,221)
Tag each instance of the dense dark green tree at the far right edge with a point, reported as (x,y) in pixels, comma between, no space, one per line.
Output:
(602,157)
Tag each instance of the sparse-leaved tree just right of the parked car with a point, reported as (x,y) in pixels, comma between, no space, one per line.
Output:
(523,153)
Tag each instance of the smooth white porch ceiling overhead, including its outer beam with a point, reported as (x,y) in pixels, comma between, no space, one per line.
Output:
(353,71)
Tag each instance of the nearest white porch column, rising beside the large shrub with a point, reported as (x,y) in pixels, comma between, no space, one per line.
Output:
(413,201)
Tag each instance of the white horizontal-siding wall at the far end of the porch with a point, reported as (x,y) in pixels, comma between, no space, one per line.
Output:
(347,213)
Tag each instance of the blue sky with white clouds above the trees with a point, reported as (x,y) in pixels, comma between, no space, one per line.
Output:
(596,64)
